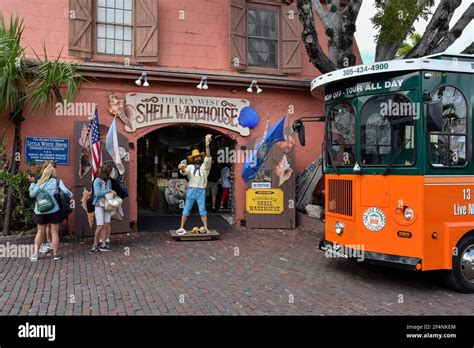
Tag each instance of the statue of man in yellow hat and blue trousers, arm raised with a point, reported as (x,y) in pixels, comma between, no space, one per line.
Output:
(197,175)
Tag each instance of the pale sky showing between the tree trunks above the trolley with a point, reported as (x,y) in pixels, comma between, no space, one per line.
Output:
(365,29)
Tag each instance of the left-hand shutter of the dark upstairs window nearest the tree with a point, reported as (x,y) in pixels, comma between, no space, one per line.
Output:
(238,34)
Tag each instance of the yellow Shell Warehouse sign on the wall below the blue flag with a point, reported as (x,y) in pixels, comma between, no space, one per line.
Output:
(265,201)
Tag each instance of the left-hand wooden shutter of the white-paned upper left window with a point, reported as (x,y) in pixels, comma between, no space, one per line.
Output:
(80,28)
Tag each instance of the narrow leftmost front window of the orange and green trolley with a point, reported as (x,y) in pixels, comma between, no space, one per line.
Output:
(342,134)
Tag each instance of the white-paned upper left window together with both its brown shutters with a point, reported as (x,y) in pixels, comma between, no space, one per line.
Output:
(109,30)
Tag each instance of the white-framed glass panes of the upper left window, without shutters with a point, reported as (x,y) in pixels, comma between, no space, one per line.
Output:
(114,27)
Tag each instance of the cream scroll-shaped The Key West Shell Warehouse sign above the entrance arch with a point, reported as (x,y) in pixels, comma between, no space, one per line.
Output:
(144,109)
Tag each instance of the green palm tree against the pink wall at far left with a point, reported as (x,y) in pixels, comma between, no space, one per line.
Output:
(35,84)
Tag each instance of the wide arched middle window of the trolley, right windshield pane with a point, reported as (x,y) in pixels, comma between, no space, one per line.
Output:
(387,131)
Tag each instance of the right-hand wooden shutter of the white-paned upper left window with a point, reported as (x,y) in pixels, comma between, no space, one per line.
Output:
(146,30)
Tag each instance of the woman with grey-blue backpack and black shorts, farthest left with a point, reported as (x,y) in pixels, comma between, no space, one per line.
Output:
(47,210)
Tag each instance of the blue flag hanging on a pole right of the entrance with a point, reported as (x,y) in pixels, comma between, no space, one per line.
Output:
(259,154)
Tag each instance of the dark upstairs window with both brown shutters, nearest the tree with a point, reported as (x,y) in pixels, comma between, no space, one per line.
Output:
(264,36)
